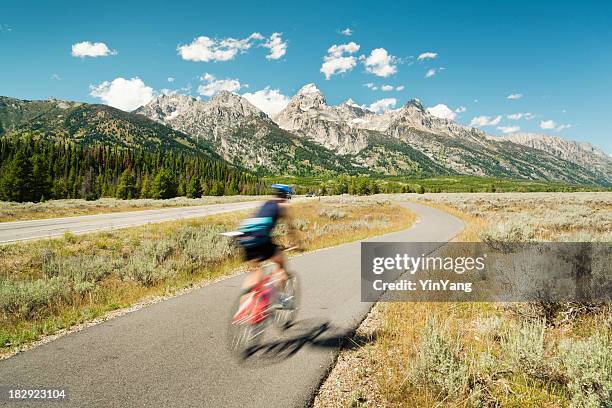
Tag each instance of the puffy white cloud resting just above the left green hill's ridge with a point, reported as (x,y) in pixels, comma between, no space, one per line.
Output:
(124,94)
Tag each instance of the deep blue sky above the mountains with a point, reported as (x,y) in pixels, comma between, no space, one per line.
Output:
(554,56)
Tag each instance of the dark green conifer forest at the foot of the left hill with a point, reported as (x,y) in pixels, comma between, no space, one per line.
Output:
(34,170)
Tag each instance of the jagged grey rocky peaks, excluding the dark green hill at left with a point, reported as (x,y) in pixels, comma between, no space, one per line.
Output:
(404,141)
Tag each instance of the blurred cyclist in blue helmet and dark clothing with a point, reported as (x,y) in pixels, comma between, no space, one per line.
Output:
(258,244)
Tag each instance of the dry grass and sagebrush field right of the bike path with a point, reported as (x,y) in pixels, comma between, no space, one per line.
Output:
(487,354)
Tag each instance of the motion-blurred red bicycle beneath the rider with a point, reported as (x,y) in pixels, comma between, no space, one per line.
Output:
(249,323)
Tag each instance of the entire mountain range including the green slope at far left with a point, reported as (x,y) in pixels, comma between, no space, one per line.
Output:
(311,137)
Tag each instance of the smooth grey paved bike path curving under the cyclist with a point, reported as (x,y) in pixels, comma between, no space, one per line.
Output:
(174,353)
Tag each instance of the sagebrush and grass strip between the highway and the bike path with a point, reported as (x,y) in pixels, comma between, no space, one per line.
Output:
(46,286)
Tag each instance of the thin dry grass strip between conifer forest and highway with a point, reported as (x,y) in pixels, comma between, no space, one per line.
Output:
(12,211)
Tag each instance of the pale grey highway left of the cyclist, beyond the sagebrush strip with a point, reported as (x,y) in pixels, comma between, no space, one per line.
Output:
(38,229)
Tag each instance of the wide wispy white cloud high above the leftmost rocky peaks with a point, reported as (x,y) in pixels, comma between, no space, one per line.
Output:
(205,49)
